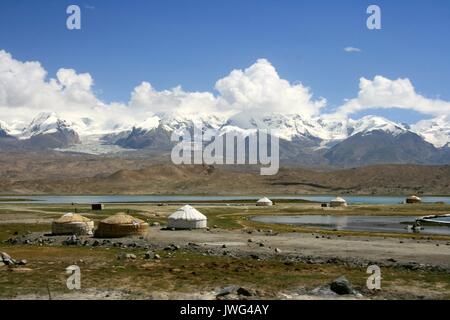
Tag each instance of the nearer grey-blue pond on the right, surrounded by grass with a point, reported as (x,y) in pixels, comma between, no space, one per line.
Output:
(395,224)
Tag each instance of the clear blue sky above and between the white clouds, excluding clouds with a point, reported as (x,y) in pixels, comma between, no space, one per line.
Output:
(195,43)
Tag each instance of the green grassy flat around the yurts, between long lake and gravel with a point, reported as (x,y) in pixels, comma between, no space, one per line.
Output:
(226,217)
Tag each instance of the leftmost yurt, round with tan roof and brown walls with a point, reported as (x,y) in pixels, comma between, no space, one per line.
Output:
(72,223)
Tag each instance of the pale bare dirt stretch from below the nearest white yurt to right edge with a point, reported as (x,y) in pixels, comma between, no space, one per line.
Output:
(376,249)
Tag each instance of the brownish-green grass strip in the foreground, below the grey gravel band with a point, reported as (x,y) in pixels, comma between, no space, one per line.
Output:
(190,272)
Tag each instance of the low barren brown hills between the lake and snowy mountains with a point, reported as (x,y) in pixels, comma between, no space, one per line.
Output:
(137,176)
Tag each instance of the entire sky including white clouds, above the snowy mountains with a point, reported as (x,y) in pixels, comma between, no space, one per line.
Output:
(314,57)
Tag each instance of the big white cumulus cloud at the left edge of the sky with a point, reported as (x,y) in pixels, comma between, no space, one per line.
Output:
(26,90)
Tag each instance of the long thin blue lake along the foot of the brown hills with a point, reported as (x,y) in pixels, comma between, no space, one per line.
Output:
(181,198)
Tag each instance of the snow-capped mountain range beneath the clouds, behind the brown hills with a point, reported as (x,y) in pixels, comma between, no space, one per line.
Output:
(303,141)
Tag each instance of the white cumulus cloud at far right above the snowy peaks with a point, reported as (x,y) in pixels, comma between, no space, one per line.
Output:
(384,93)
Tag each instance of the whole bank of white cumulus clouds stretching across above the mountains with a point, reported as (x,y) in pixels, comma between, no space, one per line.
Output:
(26,90)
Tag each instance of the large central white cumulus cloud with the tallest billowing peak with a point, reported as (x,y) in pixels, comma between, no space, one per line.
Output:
(258,87)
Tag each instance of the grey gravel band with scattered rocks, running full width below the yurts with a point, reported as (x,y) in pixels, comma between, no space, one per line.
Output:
(313,248)
